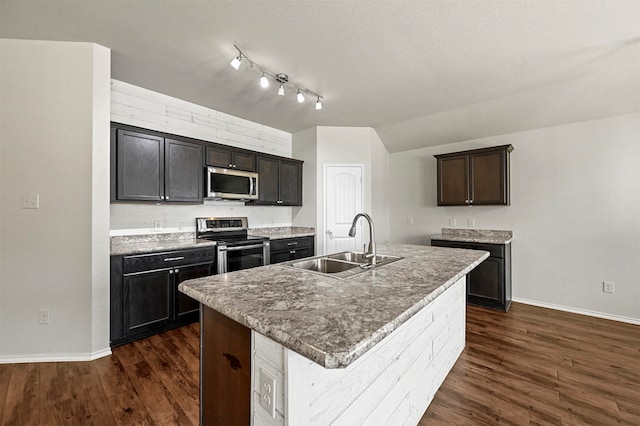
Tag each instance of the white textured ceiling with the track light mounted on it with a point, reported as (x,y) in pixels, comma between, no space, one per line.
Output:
(421,73)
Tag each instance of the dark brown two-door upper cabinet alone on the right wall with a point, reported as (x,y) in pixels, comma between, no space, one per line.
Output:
(475,177)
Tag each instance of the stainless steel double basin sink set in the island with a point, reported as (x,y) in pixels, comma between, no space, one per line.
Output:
(341,265)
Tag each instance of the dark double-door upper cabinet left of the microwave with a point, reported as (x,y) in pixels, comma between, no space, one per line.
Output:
(149,167)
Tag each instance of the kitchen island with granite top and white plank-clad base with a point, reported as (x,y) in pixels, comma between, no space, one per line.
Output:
(287,346)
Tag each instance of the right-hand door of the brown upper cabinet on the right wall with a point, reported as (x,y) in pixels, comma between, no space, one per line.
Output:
(488,178)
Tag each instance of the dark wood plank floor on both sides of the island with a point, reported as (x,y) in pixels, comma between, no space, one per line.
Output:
(531,366)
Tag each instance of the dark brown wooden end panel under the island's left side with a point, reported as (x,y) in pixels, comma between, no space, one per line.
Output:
(225,370)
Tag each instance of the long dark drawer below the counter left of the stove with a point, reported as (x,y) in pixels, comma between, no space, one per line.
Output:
(146,262)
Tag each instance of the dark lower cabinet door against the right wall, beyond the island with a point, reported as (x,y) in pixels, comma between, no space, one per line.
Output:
(486,281)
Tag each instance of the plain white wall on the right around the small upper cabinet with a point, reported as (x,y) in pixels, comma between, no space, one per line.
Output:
(575,212)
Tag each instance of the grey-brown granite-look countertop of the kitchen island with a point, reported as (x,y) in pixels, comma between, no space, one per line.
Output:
(334,321)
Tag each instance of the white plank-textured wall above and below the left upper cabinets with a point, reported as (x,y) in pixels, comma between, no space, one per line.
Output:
(144,108)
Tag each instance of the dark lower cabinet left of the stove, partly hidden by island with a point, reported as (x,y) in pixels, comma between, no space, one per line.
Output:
(145,299)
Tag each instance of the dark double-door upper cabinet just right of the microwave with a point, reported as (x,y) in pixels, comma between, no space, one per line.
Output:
(280,181)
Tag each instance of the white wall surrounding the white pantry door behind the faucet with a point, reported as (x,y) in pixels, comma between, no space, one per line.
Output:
(334,145)
